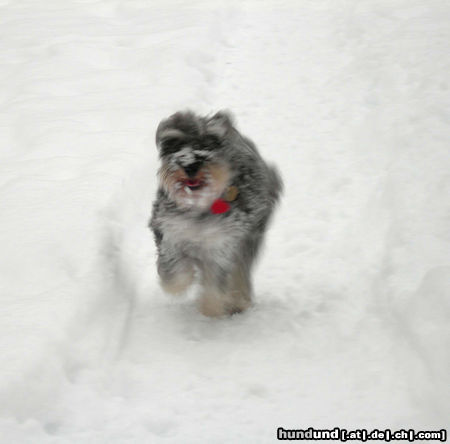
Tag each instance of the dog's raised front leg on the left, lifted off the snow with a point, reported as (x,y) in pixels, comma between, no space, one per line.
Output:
(176,273)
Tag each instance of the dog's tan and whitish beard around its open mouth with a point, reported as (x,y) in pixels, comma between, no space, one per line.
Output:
(198,192)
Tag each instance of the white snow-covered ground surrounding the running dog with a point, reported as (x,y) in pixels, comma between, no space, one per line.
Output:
(350,325)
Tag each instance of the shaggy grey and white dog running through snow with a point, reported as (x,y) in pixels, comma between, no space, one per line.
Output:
(215,198)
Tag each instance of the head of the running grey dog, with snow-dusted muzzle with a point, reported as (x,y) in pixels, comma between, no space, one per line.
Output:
(194,170)
